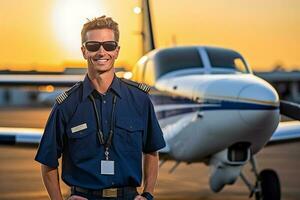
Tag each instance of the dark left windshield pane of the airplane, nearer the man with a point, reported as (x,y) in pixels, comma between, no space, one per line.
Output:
(169,60)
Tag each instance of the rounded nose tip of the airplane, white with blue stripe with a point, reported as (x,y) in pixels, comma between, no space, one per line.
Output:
(259,105)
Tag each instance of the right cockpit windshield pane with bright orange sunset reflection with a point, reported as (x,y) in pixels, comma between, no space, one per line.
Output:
(227,59)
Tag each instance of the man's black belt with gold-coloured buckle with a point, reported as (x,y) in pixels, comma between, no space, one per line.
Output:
(108,192)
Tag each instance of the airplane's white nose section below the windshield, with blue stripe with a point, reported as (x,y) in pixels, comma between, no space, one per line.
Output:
(205,114)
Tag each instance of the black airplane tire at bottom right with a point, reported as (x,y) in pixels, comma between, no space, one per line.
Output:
(270,185)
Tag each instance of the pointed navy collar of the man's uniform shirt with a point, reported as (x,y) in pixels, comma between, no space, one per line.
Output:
(88,87)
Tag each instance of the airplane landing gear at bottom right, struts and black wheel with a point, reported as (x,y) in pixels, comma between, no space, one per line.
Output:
(267,186)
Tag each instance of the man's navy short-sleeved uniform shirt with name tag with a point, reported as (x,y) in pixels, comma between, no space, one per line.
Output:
(71,131)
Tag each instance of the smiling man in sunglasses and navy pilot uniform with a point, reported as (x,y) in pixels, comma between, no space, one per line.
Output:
(104,128)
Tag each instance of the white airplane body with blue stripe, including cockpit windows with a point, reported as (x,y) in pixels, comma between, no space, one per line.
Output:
(207,101)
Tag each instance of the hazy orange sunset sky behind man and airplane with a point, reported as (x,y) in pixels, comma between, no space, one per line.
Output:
(45,35)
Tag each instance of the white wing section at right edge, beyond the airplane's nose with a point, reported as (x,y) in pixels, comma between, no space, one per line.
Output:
(286,132)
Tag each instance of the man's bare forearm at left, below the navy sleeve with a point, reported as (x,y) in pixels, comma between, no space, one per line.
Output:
(51,182)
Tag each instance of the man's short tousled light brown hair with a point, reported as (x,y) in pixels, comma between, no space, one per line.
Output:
(100,23)
